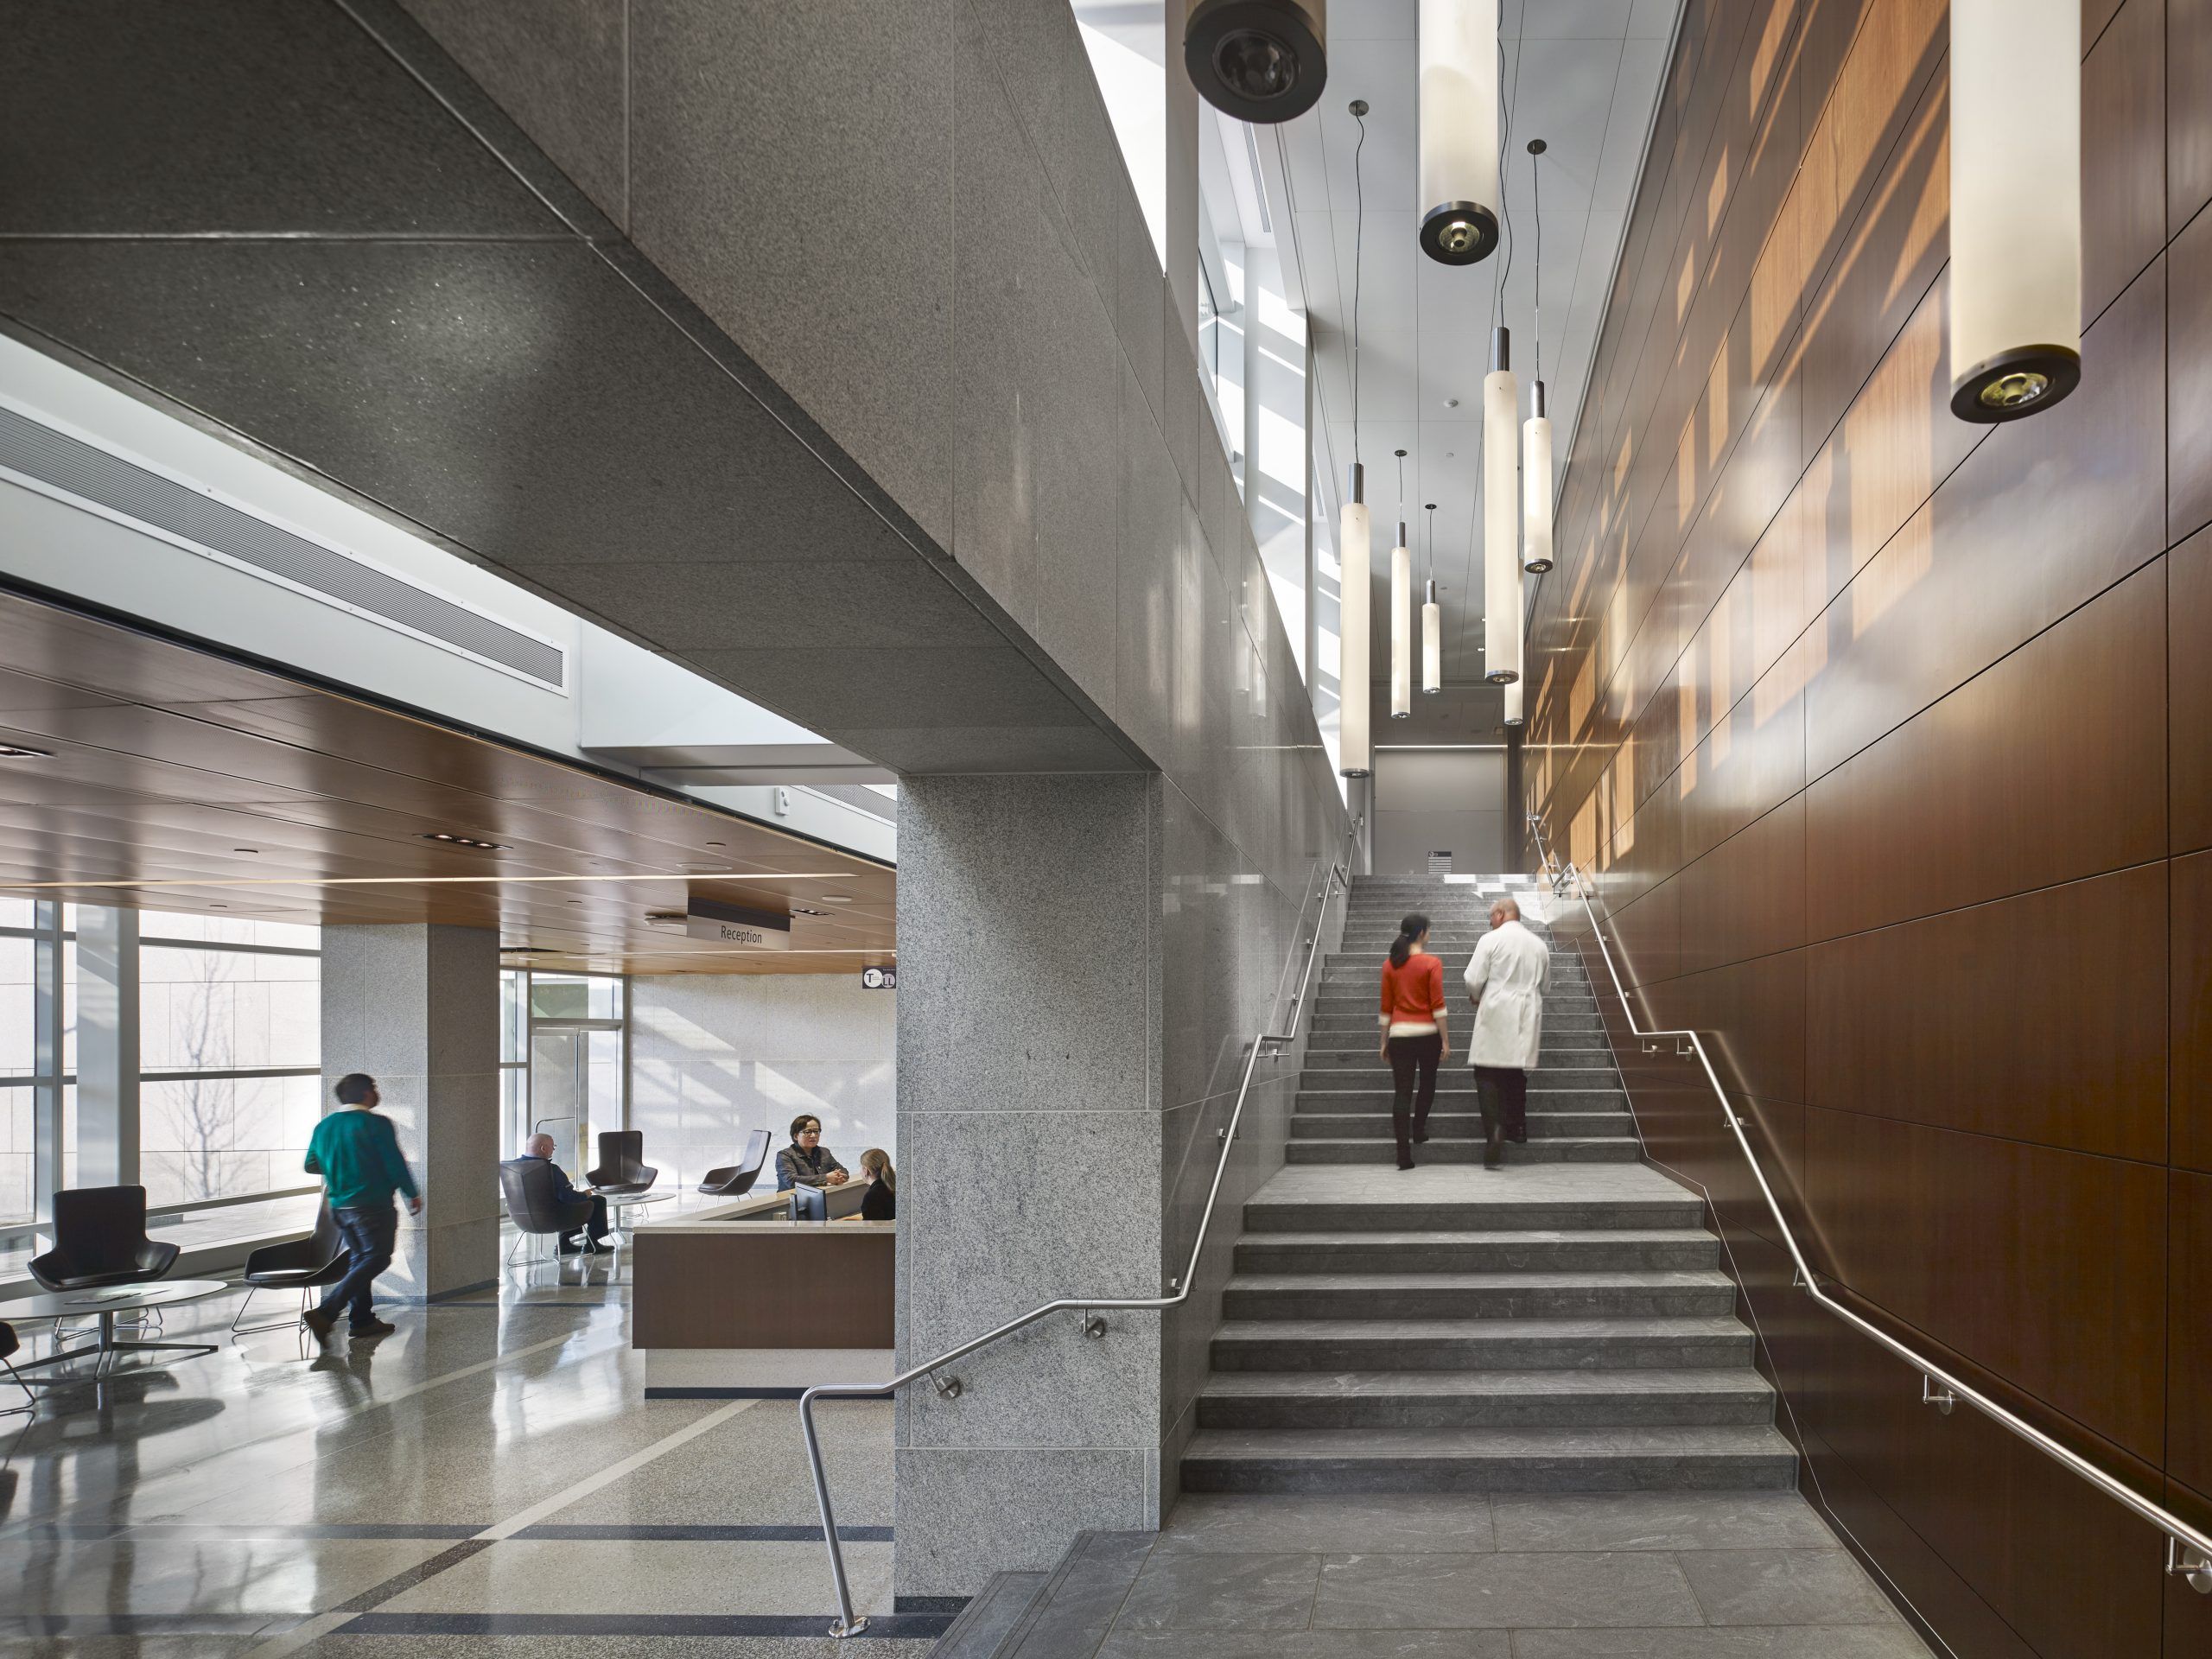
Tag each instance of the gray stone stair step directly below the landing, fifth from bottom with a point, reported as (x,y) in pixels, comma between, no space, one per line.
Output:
(1479,1251)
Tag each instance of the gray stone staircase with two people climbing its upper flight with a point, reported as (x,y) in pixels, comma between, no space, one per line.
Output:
(1554,1326)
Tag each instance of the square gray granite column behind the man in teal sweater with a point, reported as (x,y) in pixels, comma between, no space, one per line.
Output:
(419,1010)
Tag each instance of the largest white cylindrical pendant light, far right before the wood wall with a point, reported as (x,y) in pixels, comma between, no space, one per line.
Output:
(2016,207)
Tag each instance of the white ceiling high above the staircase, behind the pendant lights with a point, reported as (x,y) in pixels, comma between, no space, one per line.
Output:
(1578,74)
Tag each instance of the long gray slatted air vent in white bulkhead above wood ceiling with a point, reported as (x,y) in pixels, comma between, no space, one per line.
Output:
(85,474)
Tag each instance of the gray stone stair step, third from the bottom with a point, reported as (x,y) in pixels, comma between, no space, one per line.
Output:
(1481,1344)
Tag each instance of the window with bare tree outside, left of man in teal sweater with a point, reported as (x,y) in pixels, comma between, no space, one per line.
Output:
(231,1043)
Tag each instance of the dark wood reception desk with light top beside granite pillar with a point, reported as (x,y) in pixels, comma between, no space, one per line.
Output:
(740,1302)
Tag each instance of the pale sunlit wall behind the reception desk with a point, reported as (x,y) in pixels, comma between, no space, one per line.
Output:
(716,1058)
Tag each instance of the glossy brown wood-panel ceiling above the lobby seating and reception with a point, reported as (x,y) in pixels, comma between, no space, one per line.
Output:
(196,784)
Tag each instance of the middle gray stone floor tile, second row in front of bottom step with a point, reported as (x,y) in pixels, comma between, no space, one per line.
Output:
(1501,1592)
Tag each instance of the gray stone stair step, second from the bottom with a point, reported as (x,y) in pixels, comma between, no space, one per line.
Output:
(1483,1399)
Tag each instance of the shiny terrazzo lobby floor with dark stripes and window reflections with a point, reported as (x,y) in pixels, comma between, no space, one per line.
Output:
(486,1479)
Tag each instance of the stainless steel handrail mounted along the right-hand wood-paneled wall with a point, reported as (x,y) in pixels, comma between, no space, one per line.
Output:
(2189,1550)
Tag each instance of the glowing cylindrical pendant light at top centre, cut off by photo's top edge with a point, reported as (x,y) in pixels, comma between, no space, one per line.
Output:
(1459,129)
